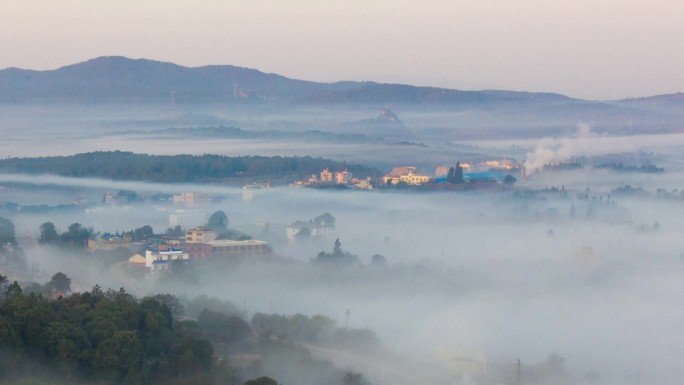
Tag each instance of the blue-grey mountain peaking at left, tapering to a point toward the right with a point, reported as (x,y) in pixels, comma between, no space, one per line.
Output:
(118,79)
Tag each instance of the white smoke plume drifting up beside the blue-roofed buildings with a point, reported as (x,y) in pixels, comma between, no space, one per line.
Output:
(557,150)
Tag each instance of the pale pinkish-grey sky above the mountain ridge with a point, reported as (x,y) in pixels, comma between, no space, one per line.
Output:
(597,49)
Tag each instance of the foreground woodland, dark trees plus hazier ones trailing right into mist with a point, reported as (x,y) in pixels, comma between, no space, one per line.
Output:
(110,338)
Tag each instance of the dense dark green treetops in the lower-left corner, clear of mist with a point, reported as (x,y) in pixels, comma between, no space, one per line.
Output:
(99,336)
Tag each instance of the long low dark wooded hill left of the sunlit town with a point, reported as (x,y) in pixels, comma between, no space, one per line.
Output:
(118,165)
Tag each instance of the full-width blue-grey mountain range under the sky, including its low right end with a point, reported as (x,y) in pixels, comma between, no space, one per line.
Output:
(117,79)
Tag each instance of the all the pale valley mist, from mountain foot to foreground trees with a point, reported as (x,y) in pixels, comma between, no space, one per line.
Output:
(578,270)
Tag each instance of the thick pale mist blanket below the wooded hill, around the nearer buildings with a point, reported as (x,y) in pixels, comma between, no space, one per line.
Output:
(581,271)
